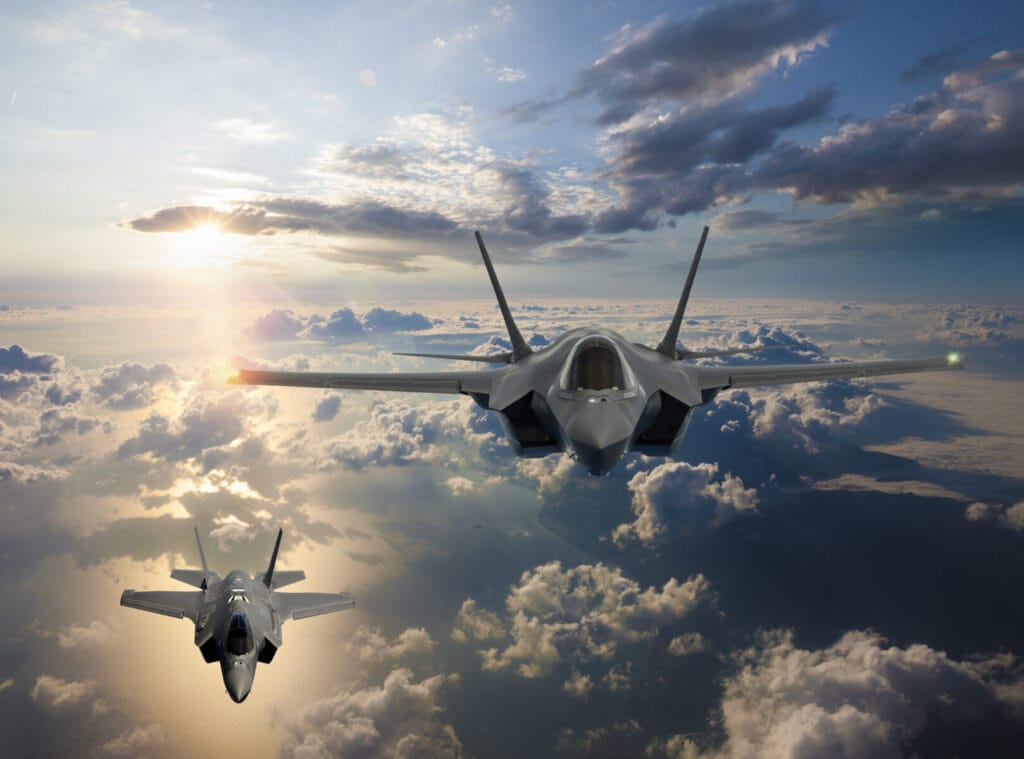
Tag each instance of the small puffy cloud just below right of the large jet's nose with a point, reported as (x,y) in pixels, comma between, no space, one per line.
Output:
(681,497)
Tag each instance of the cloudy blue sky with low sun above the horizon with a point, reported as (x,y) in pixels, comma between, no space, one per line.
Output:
(410,125)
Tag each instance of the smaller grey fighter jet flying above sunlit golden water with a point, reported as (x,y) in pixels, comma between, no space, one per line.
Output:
(238,619)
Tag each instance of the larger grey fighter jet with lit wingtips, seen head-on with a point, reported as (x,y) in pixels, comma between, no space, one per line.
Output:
(592,394)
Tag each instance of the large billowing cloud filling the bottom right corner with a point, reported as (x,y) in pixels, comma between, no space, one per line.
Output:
(859,697)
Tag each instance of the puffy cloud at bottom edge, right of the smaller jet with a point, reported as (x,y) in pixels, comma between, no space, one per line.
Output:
(400,719)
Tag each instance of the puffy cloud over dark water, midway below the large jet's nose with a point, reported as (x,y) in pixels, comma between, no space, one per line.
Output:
(585,613)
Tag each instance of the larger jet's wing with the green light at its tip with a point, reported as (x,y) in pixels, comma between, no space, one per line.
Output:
(722,377)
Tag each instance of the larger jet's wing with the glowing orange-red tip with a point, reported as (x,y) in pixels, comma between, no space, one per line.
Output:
(443,383)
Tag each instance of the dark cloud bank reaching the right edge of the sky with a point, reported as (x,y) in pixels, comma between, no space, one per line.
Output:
(963,140)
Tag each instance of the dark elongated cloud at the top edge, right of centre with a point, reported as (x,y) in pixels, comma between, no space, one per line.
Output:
(713,56)
